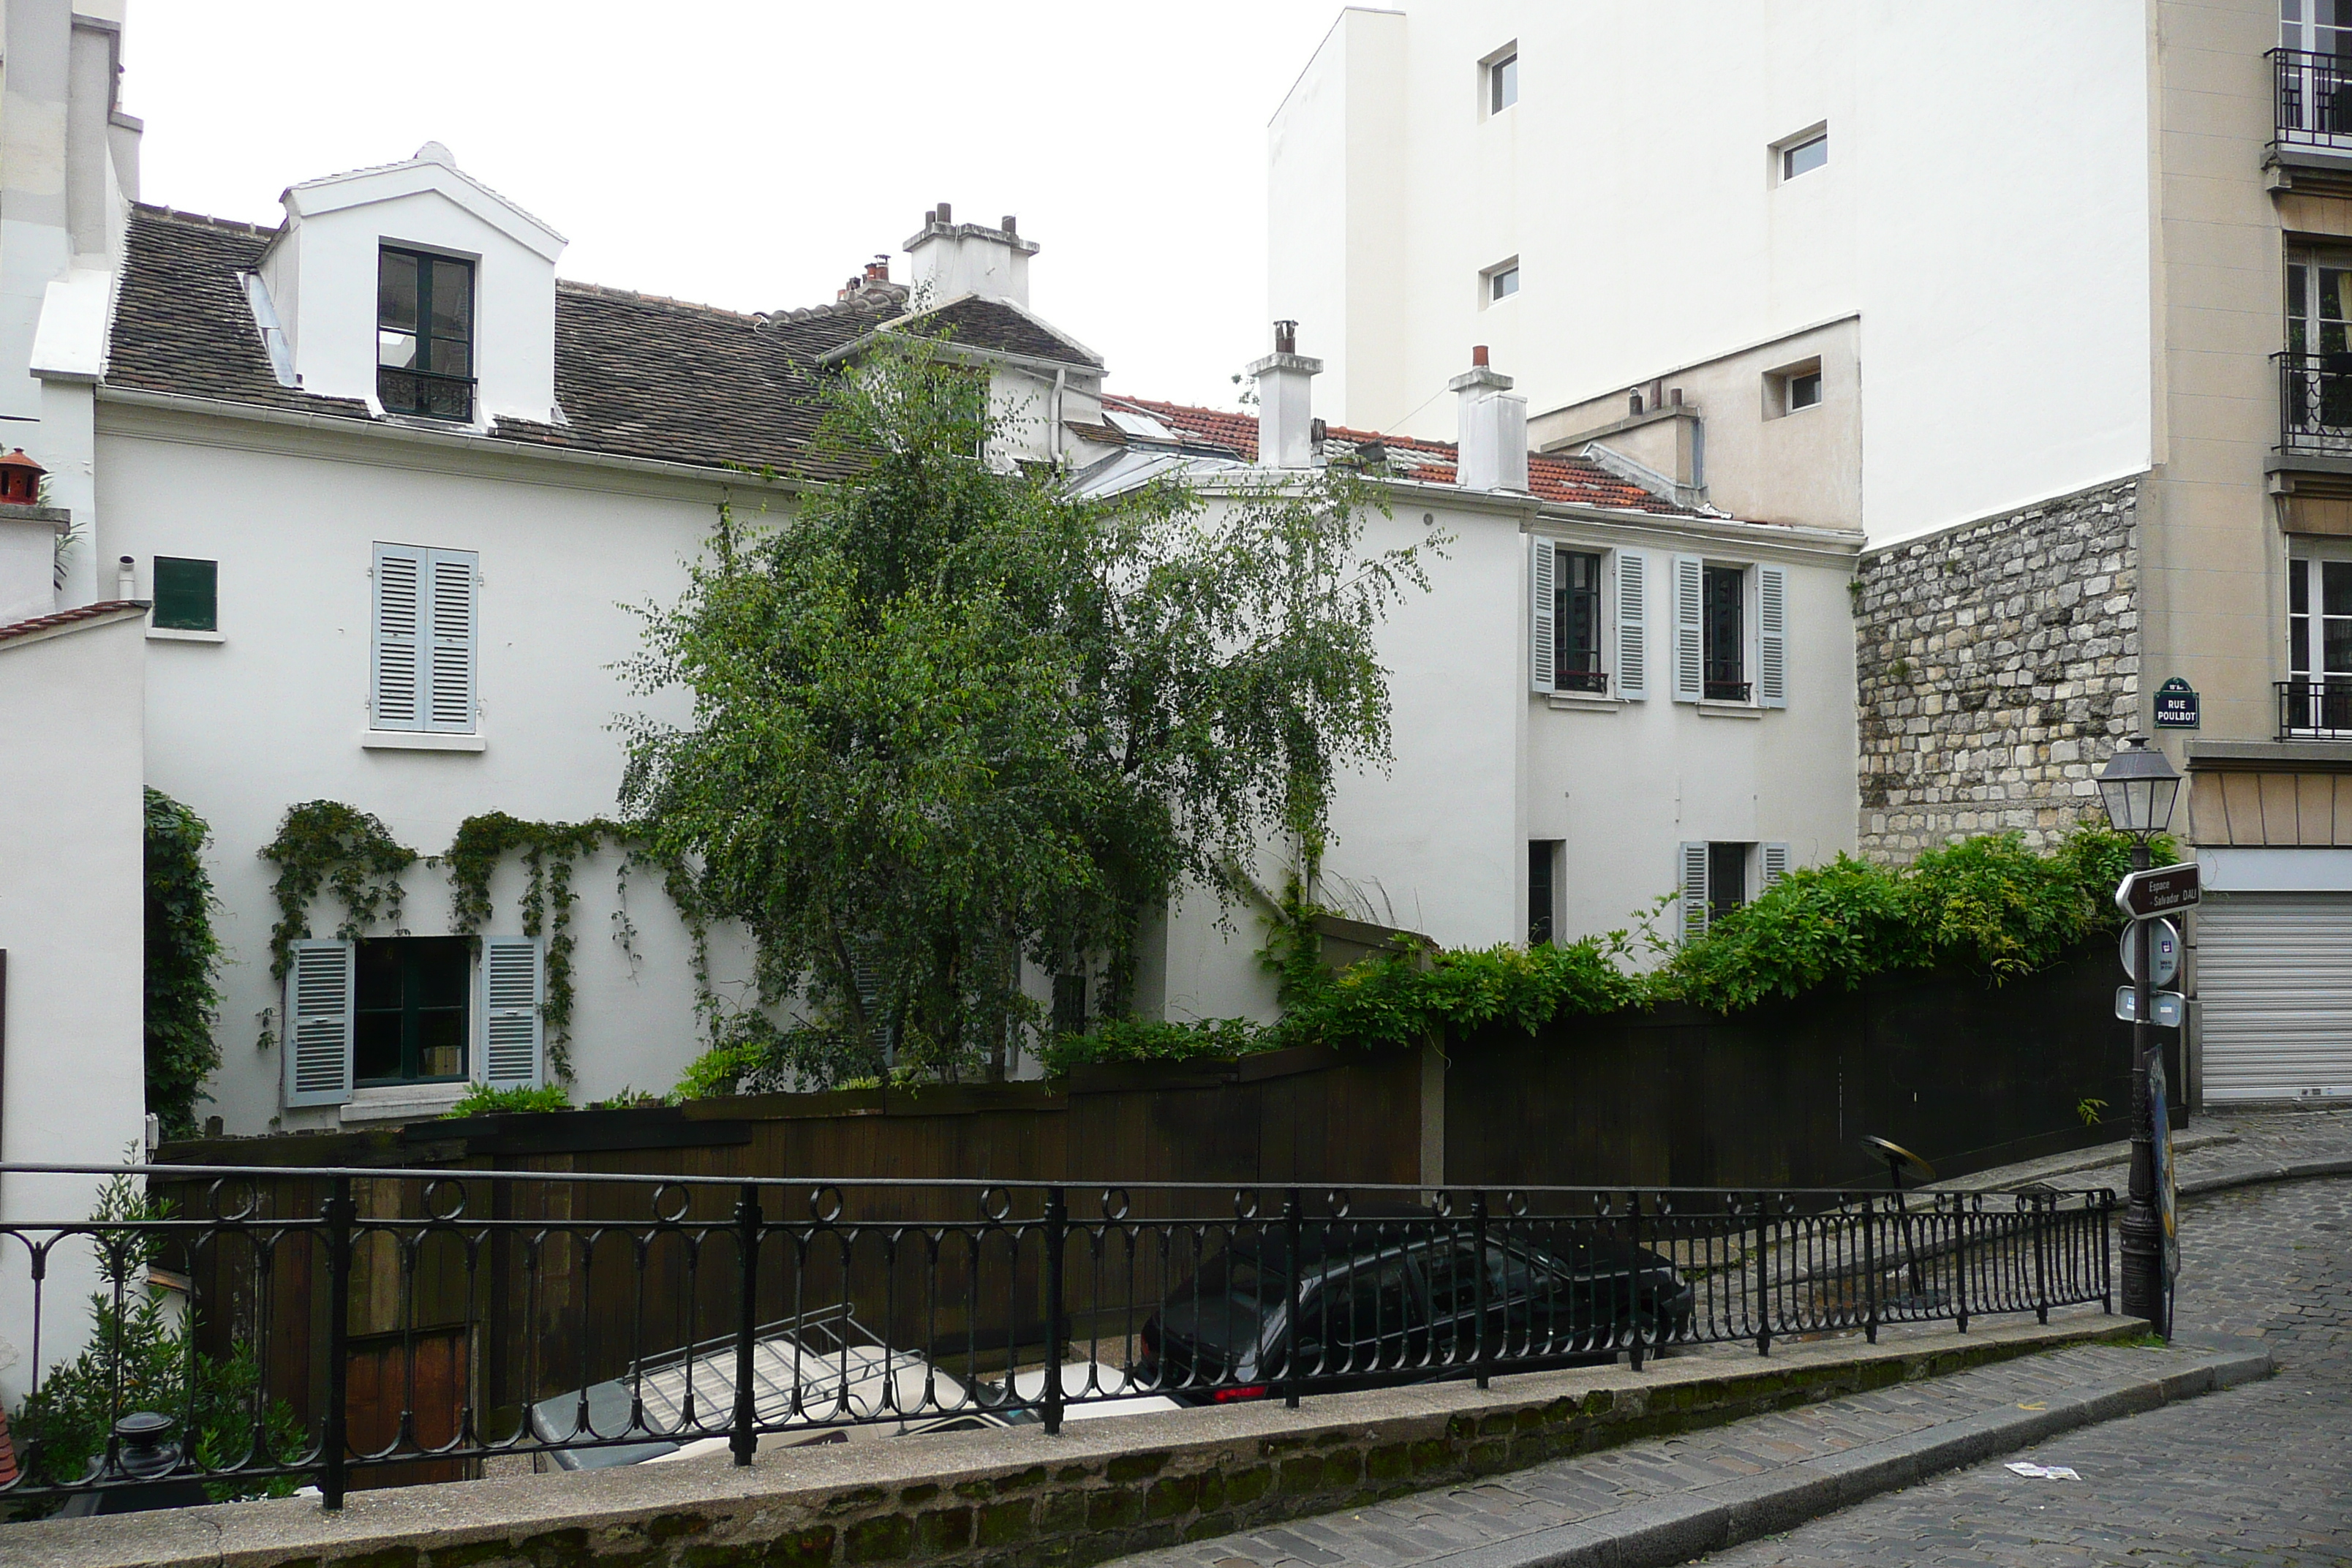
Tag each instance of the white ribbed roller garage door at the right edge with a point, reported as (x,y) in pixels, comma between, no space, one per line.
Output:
(2276,979)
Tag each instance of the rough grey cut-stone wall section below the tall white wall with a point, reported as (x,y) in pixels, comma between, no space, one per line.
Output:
(1998,666)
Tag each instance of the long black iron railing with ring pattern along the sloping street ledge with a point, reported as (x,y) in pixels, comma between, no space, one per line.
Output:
(385,1327)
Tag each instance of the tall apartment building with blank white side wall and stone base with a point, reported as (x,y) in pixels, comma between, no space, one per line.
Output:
(2047,302)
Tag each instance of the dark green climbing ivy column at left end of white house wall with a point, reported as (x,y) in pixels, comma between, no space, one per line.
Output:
(182,960)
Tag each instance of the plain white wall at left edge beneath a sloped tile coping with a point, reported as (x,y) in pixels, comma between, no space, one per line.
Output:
(72,920)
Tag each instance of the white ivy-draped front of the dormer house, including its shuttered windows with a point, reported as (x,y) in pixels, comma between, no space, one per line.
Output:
(427,636)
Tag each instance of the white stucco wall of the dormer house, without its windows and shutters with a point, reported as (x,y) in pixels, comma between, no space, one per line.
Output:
(276,711)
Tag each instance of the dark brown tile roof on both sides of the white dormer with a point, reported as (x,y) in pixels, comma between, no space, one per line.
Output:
(636,375)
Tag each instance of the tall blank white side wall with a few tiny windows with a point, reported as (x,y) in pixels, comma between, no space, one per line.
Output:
(1636,185)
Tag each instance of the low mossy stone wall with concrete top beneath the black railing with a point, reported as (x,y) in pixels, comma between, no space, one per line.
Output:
(1022,1499)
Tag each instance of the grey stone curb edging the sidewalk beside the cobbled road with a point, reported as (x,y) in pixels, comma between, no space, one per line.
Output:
(1676,1529)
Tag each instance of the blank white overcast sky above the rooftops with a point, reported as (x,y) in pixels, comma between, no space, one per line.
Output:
(756,154)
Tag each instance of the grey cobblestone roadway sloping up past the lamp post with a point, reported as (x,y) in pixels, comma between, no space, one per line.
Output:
(2254,1475)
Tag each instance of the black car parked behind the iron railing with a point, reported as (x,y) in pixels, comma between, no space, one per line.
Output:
(1389,1301)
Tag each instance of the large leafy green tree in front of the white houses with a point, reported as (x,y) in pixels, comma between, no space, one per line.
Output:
(951,718)
